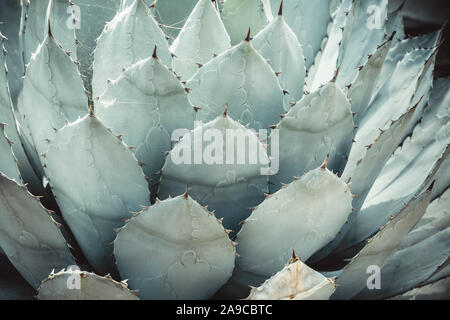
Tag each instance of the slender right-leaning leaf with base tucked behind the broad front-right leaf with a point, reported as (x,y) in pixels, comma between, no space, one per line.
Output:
(362,173)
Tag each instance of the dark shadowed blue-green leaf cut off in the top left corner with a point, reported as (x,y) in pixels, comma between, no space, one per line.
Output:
(10,14)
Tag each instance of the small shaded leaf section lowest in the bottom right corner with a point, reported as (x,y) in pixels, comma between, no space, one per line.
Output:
(433,291)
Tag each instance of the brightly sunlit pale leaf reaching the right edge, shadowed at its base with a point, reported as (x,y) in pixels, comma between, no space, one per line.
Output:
(410,169)
